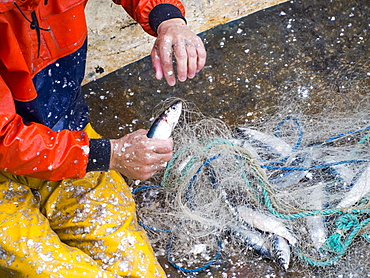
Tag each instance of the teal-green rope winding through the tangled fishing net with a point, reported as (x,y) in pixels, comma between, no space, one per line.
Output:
(347,223)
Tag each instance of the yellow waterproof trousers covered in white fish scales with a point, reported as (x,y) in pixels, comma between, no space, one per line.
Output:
(72,228)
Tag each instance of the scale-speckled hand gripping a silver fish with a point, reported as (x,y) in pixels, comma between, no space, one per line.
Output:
(138,157)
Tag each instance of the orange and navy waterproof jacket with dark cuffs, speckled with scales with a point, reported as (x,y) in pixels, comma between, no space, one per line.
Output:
(42,60)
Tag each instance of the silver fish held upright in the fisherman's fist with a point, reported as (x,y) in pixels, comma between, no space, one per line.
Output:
(164,124)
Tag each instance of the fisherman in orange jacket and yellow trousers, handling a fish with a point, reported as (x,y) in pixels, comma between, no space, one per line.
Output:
(64,211)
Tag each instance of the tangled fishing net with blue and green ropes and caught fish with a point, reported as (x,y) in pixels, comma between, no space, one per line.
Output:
(290,186)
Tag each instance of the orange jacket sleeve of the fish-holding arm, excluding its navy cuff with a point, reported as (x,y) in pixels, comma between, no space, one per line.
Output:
(36,151)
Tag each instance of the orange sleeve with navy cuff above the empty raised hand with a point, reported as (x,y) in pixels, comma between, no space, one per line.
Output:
(150,13)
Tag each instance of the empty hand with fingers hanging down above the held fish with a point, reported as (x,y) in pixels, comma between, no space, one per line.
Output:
(176,39)
